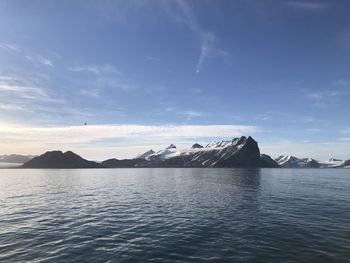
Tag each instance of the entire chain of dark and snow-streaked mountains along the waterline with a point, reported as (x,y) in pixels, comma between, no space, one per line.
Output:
(238,152)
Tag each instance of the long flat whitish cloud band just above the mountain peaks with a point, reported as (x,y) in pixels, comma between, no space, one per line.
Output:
(86,134)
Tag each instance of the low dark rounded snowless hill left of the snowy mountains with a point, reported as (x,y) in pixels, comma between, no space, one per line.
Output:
(58,159)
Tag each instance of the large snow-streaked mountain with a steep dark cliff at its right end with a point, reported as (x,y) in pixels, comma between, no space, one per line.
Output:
(238,152)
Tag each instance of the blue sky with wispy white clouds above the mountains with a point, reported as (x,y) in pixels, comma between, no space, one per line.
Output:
(144,74)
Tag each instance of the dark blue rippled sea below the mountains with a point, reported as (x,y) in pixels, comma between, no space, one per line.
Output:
(175,215)
